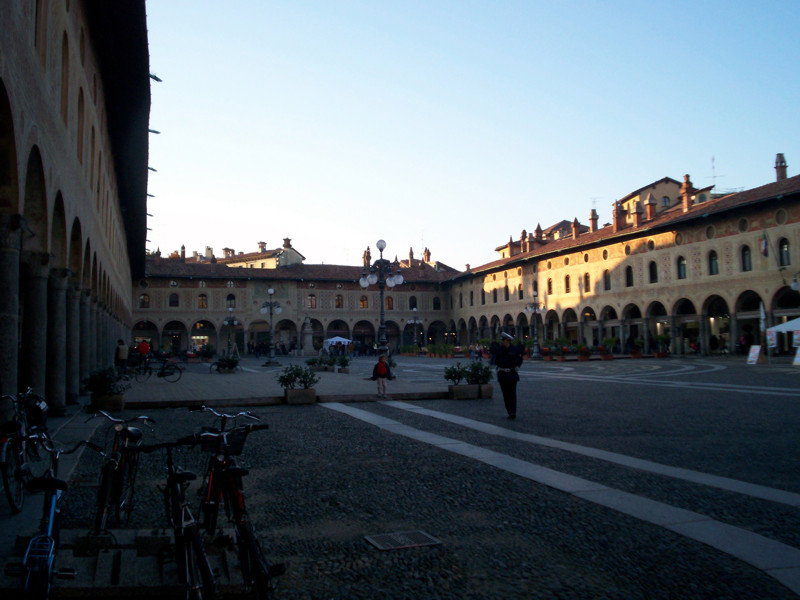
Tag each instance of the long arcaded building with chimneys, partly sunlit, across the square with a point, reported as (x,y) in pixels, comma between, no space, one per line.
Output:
(674,260)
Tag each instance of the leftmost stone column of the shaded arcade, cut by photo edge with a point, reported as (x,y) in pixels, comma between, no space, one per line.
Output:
(10,245)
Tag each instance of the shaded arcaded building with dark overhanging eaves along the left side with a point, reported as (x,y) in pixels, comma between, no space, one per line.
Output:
(74,113)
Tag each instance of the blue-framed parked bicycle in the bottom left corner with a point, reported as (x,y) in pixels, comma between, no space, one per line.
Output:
(38,564)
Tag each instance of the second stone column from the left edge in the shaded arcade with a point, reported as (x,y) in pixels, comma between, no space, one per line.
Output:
(33,354)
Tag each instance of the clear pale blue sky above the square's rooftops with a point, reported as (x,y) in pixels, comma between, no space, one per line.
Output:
(452,125)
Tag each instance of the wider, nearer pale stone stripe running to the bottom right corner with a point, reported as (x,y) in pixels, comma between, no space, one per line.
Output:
(774,558)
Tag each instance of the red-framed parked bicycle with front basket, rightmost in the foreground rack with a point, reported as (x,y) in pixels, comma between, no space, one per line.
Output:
(222,485)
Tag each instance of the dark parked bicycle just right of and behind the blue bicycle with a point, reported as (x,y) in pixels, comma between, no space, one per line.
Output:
(118,473)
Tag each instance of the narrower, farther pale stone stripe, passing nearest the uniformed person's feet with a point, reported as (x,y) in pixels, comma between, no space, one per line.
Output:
(724,483)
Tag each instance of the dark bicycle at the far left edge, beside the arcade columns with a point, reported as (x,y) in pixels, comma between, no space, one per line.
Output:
(20,458)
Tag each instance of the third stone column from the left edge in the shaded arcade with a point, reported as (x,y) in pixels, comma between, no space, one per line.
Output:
(57,345)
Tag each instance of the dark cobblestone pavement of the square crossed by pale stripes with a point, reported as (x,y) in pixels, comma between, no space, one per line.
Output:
(325,476)
